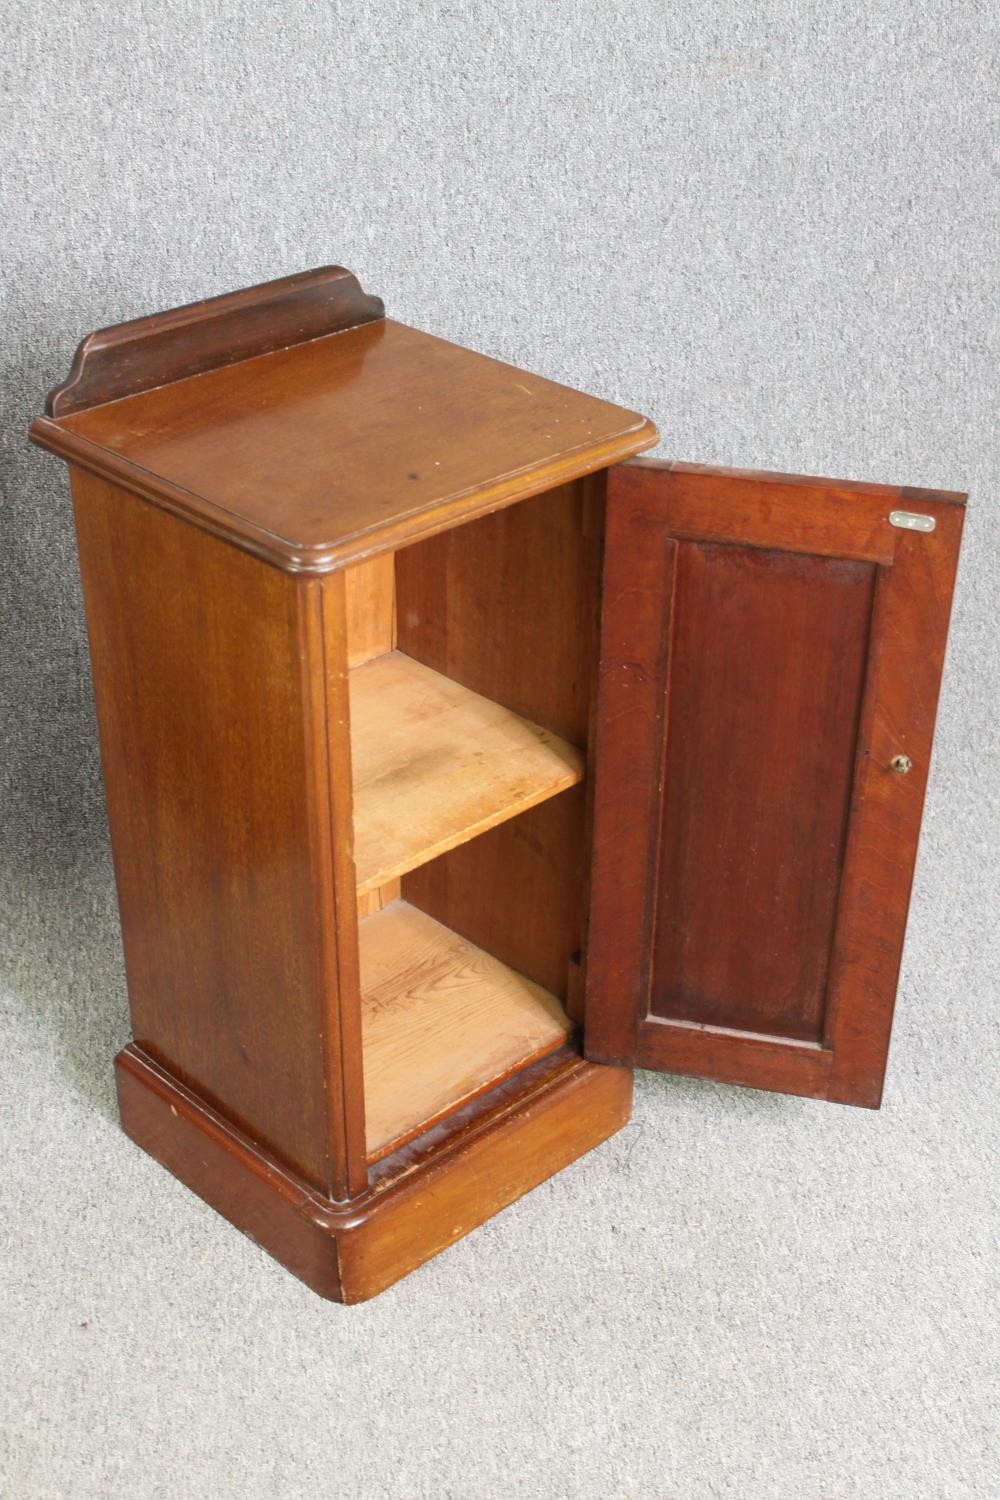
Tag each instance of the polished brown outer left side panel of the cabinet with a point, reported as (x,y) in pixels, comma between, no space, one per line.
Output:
(199,667)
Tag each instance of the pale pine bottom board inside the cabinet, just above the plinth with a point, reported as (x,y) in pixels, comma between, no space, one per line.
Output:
(443,1022)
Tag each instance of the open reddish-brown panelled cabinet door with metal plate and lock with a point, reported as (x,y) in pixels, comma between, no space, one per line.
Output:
(771,656)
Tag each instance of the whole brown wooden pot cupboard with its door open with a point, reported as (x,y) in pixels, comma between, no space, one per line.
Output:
(458,763)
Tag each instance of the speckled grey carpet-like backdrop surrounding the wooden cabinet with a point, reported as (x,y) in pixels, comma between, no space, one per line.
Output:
(774,229)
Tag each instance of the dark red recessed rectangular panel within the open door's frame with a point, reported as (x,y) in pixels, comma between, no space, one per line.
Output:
(762,719)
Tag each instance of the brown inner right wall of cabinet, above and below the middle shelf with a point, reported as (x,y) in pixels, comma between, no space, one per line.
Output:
(507,605)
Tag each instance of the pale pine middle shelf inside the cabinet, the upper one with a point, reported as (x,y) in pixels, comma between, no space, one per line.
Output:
(436,764)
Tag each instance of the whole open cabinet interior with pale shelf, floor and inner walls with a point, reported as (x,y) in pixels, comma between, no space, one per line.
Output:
(472,665)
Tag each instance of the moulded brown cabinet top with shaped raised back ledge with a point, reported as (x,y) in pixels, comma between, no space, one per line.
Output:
(311,434)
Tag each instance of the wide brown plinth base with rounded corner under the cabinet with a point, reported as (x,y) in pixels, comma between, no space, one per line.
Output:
(509,1142)
